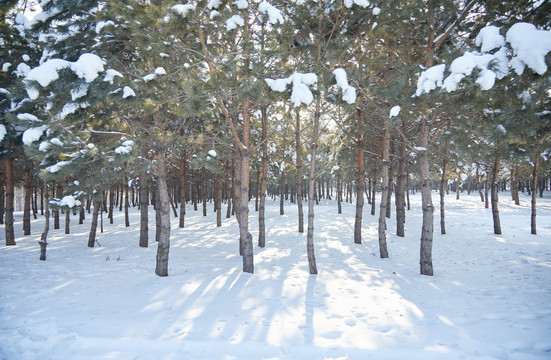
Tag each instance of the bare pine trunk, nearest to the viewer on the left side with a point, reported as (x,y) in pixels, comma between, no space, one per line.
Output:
(163,247)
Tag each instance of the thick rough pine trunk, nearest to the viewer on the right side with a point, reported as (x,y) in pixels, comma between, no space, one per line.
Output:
(426,199)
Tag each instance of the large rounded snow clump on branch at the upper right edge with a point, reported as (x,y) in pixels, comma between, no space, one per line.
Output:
(530,47)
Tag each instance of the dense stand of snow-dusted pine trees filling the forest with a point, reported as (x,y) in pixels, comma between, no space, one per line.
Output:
(94,92)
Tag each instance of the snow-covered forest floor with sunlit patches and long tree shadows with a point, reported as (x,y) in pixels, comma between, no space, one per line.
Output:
(489,298)
